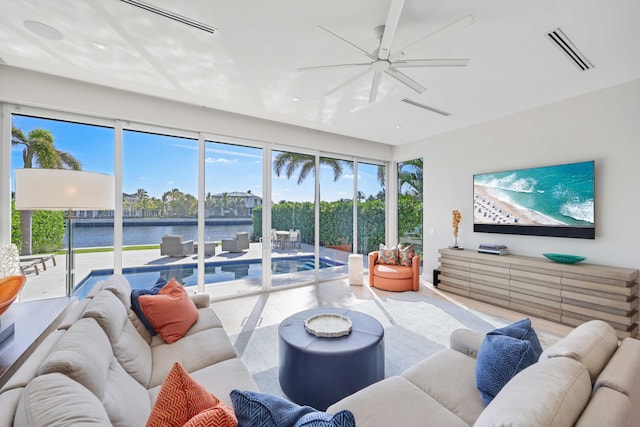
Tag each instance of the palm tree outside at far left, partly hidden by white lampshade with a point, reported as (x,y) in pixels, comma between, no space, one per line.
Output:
(39,151)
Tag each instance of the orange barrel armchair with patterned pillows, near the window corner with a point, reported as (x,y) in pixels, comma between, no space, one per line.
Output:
(397,278)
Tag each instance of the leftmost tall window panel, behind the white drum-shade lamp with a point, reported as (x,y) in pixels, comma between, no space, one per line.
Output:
(48,143)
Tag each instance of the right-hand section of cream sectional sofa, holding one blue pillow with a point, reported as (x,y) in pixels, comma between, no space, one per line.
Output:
(587,379)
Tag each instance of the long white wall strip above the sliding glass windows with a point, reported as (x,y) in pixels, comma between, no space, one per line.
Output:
(47,91)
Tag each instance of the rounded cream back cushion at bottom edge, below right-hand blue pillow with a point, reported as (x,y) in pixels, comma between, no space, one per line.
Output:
(549,393)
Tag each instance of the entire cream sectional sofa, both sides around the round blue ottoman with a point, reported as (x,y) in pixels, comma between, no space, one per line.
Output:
(102,367)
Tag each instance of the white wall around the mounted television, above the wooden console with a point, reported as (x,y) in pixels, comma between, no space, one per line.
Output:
(603,126)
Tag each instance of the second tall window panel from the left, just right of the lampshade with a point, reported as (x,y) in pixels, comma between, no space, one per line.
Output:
(160,189)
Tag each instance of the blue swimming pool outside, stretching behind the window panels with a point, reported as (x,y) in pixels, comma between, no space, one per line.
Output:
(144,277)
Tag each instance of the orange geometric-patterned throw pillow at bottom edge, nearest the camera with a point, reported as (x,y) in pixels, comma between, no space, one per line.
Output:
(183,400)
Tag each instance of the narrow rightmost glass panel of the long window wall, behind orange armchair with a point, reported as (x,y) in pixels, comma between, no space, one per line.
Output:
(371,208)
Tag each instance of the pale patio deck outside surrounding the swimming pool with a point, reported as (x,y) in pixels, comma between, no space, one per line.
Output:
(50,283)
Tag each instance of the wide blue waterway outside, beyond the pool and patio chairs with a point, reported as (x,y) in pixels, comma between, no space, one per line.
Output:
(89,237)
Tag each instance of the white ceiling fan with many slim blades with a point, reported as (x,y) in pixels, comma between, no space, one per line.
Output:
(382,60)
